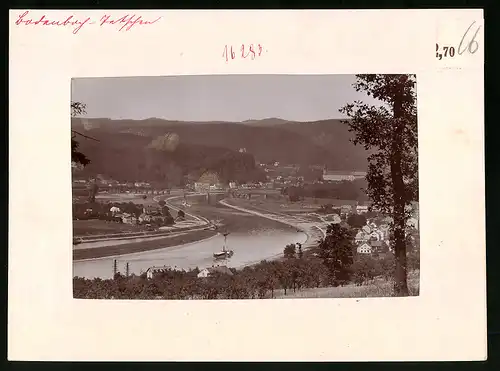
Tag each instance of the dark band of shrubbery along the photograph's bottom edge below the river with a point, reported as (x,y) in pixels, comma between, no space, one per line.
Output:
(258,281)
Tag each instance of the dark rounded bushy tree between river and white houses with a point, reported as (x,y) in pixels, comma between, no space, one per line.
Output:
(336,251)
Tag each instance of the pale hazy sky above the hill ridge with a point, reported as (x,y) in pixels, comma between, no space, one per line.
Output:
(217,97)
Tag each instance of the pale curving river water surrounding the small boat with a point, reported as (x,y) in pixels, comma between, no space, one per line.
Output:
(252,238)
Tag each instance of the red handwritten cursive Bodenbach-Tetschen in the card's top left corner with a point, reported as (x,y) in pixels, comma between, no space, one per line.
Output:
(124,23)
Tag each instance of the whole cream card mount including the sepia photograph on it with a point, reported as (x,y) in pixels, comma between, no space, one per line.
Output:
(267,176)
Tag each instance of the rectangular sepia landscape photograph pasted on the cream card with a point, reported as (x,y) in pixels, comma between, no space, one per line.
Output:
(212,187)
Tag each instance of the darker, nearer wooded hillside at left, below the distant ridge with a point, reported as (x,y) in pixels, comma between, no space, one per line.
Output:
(128,157)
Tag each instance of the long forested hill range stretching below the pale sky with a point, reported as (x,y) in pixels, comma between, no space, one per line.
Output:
(122,151)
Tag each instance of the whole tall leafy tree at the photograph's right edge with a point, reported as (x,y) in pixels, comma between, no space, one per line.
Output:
(390,131)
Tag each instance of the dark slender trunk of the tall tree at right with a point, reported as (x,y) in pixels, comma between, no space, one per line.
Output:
(400,279)
